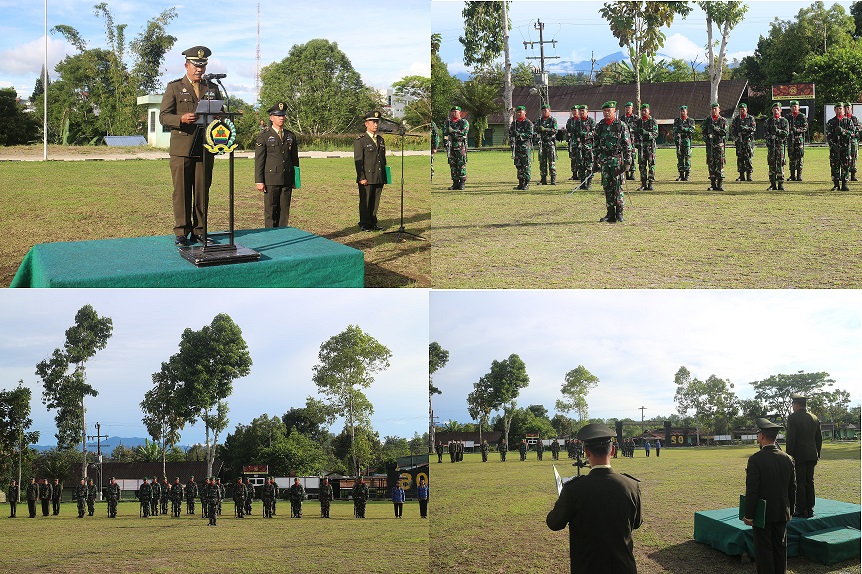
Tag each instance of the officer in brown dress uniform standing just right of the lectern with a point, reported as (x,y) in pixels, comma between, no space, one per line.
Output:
(276,154)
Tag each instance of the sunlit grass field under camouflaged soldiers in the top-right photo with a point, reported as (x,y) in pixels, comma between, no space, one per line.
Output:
(677,236)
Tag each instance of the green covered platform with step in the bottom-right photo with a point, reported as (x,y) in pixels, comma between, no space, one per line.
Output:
(723,530)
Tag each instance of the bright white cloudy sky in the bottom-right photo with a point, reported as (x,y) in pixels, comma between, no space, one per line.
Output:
(635,341)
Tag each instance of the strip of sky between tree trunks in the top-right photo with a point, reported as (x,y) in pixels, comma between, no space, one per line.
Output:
(581,31)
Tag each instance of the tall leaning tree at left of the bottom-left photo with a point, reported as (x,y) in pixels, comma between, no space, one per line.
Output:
(65,391)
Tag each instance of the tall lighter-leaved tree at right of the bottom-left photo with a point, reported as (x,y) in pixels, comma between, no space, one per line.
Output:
(348,362)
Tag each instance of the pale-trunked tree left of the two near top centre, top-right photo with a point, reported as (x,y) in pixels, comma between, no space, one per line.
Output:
(637,25)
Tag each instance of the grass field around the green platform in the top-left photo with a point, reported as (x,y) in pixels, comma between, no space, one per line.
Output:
(82,200)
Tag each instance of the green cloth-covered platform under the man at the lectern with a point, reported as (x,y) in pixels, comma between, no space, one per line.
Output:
(289,257)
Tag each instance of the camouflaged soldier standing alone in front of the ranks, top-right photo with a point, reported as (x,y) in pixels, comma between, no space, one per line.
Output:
(614,156)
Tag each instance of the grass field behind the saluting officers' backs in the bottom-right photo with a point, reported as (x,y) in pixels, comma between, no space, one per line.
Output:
(490,518)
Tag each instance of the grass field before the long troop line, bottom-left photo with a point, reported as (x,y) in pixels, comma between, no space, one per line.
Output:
(128,544)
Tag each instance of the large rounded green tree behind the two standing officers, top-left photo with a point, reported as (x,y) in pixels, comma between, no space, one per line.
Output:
(322,91)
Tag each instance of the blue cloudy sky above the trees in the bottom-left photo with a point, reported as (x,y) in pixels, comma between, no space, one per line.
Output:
(283,329)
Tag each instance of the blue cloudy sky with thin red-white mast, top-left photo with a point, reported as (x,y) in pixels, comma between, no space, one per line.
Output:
(384,43)
